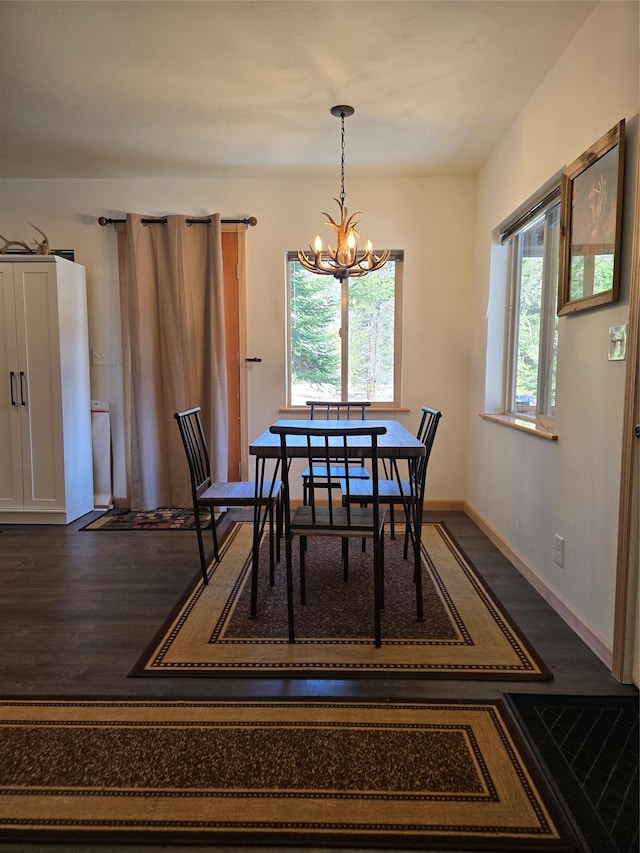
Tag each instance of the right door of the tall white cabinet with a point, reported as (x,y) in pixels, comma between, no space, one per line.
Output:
(39,357)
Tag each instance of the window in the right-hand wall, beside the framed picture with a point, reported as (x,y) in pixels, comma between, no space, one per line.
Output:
(534,250)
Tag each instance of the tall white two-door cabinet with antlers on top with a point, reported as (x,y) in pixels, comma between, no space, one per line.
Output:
(46,473)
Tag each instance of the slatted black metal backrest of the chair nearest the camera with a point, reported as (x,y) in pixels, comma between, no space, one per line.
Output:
(332,446)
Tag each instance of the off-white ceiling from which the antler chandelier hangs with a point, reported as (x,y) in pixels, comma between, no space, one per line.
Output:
(217,88)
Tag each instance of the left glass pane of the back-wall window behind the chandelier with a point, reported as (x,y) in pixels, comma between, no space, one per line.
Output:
(315,335)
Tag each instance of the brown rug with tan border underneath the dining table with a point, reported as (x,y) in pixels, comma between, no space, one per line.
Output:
(466,633)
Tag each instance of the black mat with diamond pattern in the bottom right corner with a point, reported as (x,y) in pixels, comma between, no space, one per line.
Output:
(589,748)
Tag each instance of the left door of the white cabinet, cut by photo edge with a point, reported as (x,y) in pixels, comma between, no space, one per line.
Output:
(10,442)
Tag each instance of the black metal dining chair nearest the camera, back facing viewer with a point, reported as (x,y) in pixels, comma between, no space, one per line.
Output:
(331,446)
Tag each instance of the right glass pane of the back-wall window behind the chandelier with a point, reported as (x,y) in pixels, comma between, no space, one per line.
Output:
(371,335)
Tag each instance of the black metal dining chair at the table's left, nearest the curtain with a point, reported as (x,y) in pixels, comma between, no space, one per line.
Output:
(259,495)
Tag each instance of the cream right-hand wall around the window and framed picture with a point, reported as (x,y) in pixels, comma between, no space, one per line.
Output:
(524,488)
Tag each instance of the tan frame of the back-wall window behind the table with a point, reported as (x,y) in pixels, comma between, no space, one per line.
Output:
(395,255)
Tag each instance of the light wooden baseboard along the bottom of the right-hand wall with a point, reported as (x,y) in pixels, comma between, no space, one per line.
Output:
(574,620)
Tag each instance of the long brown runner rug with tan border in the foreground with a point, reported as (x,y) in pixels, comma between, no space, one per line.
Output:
(446,776)
